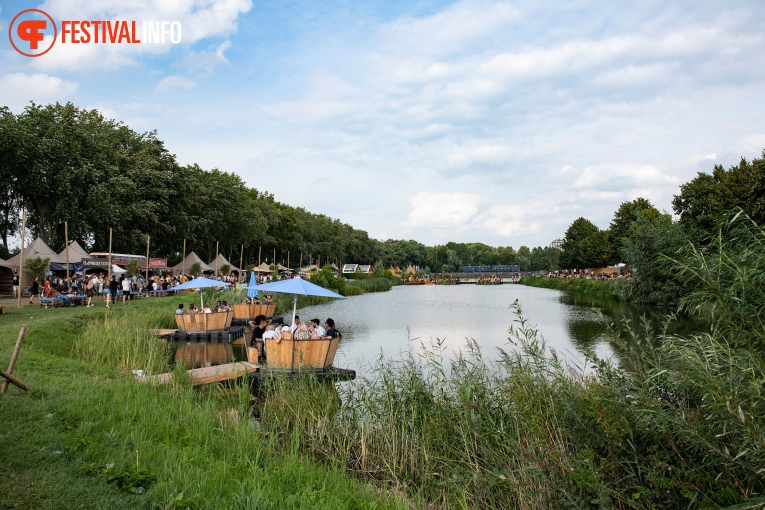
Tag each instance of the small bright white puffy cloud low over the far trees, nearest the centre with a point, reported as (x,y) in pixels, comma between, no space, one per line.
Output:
(442,209)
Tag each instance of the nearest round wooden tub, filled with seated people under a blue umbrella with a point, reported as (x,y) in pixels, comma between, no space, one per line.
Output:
(296,354)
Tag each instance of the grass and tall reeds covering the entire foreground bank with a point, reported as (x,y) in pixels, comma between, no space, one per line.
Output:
(526,432)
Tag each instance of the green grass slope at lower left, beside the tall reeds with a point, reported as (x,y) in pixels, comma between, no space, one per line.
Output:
(88,436)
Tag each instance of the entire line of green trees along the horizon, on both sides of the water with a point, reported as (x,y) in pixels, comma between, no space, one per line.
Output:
(62,164)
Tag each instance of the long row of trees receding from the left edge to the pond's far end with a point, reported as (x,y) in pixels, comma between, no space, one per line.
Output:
(66,164)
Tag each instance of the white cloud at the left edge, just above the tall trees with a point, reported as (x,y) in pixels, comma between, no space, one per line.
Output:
(20,88)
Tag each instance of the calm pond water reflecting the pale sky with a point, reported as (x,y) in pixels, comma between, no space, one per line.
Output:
(400,320)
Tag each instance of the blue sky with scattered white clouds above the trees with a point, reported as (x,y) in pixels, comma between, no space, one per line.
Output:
(472,121)
